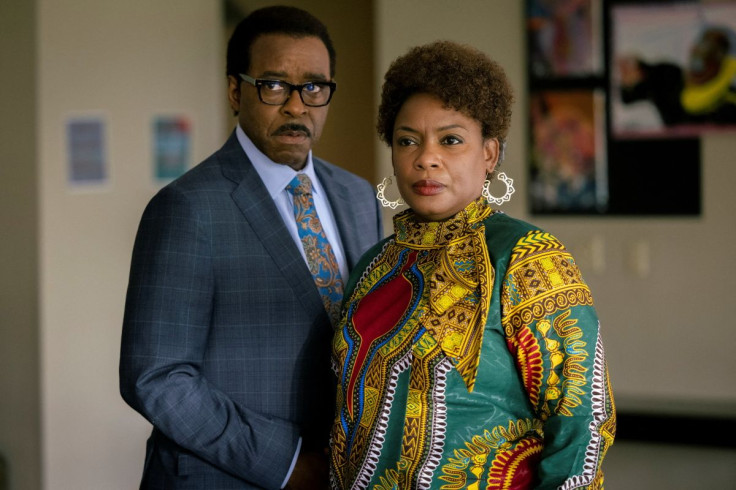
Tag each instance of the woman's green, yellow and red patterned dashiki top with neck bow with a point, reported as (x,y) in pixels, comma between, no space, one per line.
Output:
(469,356)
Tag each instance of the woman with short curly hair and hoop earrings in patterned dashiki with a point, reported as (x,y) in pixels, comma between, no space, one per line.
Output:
(469,353)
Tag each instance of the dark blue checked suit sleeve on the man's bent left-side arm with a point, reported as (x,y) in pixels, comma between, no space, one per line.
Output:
(166,326)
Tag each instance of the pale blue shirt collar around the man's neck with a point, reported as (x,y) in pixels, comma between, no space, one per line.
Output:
(275,176)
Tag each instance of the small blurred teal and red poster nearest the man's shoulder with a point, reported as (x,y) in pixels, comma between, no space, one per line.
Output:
(171,136)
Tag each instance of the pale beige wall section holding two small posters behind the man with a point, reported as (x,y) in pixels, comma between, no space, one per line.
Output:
(126,62)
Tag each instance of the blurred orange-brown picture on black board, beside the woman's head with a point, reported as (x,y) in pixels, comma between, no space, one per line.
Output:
(568,157)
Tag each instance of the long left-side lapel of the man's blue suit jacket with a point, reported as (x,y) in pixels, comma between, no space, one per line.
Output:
(254,201)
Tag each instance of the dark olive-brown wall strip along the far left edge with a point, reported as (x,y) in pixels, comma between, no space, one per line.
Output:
(19,368)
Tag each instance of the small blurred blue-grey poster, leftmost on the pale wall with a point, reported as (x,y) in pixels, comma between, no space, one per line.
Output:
(87,163)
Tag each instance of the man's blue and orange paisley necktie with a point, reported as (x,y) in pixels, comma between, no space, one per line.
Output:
(320,258)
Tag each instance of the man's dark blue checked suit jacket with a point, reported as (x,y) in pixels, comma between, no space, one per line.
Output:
(225,344)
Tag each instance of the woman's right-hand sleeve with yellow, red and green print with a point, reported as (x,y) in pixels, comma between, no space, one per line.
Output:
(553,331)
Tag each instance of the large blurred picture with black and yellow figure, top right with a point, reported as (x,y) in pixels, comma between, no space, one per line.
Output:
(673,69)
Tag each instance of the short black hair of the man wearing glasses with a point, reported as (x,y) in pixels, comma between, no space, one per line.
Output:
(279,19)
